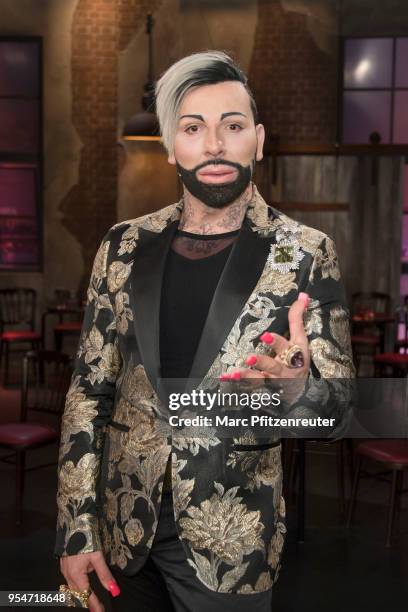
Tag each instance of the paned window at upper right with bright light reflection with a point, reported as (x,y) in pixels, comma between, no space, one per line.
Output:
(374,90)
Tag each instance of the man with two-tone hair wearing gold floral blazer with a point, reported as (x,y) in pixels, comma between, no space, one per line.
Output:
(197,290)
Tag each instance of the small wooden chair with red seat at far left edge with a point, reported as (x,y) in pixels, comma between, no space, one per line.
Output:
(17,309)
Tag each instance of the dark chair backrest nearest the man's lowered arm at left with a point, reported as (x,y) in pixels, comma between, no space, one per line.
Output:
(46,378)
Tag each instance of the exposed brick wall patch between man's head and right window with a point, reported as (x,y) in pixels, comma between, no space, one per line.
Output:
(293,80)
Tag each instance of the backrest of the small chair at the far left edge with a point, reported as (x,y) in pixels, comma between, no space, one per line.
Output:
(17,306)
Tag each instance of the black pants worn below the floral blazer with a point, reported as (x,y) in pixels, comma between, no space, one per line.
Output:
(167,583)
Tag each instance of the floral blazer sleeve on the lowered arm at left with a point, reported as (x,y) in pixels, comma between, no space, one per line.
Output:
(88,408)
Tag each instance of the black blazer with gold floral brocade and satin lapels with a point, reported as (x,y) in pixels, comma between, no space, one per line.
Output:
(227,493)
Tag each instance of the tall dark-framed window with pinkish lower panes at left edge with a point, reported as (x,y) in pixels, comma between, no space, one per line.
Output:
(20,153)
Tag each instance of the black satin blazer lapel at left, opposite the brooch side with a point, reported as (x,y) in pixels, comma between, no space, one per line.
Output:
(146,284)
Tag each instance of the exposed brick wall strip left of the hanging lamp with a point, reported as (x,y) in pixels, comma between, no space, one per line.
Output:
(100,30)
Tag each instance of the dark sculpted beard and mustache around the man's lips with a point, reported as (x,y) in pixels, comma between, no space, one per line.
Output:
(216,196)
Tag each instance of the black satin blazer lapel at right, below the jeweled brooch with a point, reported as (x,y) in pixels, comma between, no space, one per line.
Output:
(239,277)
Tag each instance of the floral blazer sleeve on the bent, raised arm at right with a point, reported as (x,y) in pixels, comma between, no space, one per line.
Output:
(329,389)
